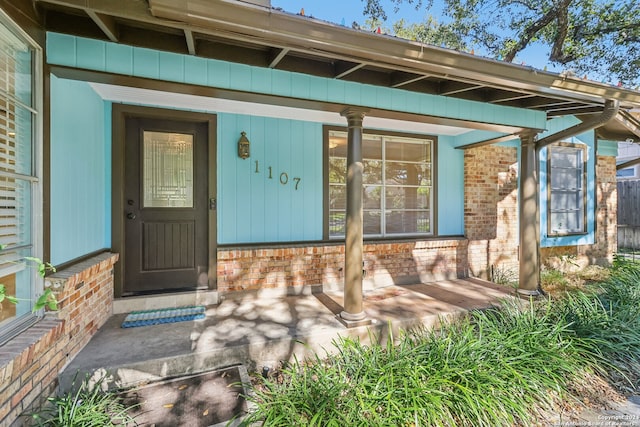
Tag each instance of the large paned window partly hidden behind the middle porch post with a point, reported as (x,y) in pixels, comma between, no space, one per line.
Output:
(397,184)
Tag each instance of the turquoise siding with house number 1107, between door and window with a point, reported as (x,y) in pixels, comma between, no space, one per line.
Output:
(263,204)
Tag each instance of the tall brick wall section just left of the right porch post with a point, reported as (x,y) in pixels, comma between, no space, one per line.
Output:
(491,208)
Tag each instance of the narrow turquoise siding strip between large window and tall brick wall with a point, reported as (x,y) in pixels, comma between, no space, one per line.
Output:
(450,183)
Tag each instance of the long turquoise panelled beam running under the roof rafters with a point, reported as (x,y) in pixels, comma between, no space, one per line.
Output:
(103,56)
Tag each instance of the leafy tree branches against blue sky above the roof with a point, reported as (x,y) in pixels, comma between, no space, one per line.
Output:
(599,38)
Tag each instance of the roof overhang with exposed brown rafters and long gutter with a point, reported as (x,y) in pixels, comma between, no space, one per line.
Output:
(266,37)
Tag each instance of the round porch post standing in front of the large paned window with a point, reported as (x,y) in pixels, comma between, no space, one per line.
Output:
(353,314)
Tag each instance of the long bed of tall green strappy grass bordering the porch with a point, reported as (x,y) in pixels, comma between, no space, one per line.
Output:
(499,367)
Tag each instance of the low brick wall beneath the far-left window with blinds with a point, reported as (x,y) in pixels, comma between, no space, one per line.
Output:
(30,363)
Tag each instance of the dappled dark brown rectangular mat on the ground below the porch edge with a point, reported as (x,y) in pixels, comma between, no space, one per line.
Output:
(200,400)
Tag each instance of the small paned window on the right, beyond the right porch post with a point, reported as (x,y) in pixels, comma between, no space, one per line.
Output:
(566,189)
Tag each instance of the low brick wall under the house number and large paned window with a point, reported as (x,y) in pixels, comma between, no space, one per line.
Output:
(322,264)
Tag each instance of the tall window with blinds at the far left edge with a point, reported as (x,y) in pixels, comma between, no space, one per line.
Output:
(18,178)
